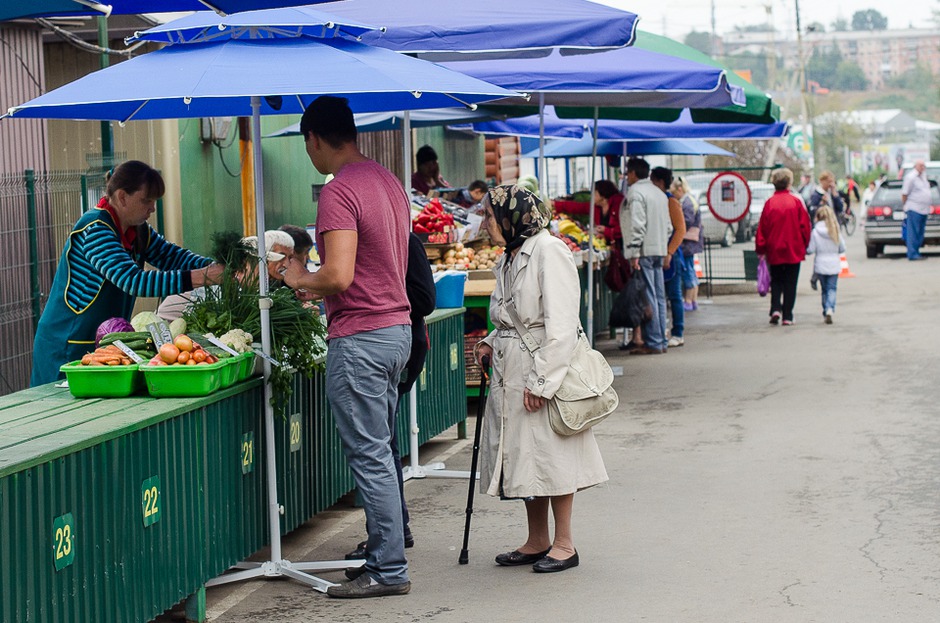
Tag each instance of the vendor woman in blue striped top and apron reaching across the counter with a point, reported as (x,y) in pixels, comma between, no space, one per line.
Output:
(101,271)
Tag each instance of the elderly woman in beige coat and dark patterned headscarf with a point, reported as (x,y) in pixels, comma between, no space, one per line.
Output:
(521,456)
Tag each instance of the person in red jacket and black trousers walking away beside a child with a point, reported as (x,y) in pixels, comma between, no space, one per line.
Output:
(782,237)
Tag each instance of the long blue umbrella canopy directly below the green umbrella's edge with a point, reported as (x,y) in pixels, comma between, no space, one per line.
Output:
(684,127)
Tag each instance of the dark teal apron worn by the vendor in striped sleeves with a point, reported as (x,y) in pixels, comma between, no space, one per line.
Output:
(66,334)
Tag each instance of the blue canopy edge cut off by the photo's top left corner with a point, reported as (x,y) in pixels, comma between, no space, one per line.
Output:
(18,9)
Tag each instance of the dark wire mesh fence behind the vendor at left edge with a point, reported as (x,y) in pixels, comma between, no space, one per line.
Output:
(37,212)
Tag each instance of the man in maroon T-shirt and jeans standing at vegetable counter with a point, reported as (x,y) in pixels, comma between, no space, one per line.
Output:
(363,219)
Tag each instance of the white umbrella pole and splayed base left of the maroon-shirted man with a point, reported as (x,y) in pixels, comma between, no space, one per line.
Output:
(276,566)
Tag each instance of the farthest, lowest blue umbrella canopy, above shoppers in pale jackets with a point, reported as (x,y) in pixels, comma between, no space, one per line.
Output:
(563,148)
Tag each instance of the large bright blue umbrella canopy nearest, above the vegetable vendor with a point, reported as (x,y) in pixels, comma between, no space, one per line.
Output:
(219,79)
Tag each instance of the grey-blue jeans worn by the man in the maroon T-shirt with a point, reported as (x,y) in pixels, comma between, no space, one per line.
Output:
(362,373)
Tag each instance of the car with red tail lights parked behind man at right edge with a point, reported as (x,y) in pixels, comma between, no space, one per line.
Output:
(885,215)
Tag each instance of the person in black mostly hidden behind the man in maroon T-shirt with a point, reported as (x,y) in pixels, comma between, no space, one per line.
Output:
(422,295)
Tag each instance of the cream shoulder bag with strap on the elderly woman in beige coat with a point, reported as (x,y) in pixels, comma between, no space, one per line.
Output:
(586,395)
